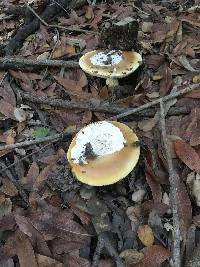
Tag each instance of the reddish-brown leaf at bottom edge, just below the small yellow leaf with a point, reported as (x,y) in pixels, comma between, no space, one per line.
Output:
(153,256)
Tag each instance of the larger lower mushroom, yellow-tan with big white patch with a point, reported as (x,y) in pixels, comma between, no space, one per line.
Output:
(103,153)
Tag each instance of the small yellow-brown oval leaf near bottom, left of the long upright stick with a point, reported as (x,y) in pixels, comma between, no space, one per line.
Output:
(145,235)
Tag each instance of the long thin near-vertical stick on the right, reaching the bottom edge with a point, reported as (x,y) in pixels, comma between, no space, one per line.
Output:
(173,191)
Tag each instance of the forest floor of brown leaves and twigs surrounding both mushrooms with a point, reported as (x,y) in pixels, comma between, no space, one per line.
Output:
(47,217)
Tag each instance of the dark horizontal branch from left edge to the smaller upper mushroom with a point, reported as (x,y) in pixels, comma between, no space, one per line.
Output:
(23,63)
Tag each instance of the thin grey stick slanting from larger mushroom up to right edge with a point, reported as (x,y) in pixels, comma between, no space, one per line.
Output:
(157,101)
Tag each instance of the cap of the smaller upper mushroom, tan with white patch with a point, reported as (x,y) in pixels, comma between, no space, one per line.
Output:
(110,63)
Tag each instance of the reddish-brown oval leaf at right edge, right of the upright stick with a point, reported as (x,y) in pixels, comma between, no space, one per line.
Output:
(187,154)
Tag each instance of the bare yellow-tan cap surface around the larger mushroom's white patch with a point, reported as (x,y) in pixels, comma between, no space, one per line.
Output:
(110,168)
